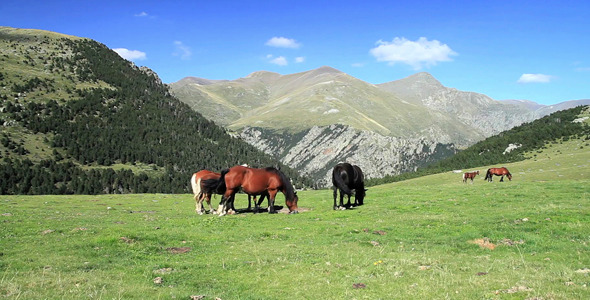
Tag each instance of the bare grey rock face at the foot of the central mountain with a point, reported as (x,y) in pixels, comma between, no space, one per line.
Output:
(315,152)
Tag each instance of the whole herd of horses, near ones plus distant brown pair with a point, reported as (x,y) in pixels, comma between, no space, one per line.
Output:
(267,182)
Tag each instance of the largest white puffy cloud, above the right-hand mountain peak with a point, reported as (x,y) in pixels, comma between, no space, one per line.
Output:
(417,54)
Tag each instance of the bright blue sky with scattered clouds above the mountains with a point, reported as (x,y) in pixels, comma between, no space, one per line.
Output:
(533,50)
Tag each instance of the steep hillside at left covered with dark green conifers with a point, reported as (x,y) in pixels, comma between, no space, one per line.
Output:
(77,118)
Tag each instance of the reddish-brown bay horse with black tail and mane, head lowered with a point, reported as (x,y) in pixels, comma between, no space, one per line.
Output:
(266,182)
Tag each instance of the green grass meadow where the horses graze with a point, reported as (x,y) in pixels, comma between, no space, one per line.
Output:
(429,238)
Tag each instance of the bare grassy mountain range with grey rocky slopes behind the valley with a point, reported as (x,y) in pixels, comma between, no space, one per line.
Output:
(315,119)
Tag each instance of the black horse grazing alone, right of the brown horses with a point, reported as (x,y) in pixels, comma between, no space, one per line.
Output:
(347,177)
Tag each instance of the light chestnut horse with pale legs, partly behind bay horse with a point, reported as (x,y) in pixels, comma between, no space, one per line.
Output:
(204,193)
